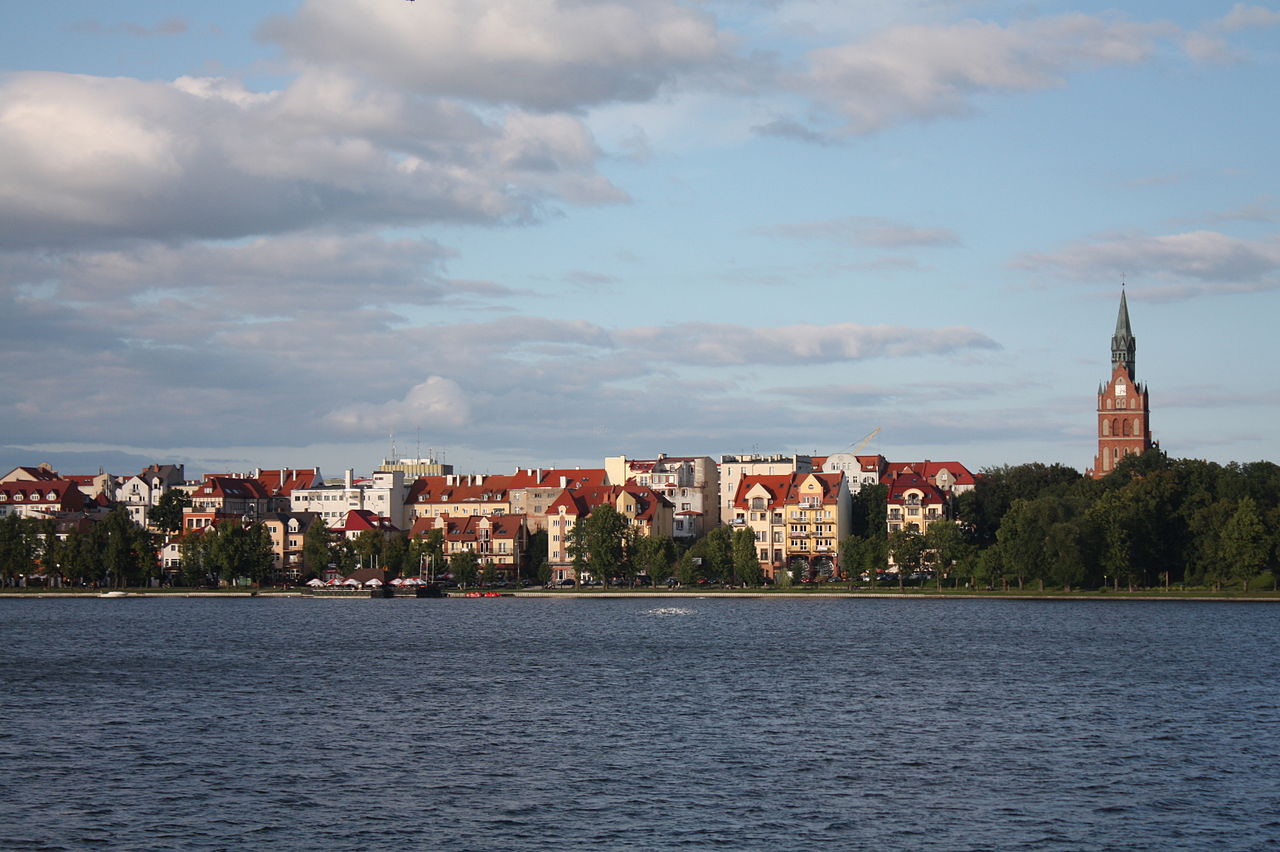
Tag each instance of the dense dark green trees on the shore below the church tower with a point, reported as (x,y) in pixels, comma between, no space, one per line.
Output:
(1153,523)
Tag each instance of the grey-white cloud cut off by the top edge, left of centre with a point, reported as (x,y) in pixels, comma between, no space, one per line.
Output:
(540,54)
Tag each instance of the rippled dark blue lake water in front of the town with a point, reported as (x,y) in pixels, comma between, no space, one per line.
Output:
(638,725)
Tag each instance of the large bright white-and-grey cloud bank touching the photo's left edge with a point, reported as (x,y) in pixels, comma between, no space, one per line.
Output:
(86,158)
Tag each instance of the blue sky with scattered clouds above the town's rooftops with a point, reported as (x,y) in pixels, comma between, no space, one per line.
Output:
(532,233)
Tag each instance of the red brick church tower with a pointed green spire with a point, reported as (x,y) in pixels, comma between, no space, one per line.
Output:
(1124,411)
